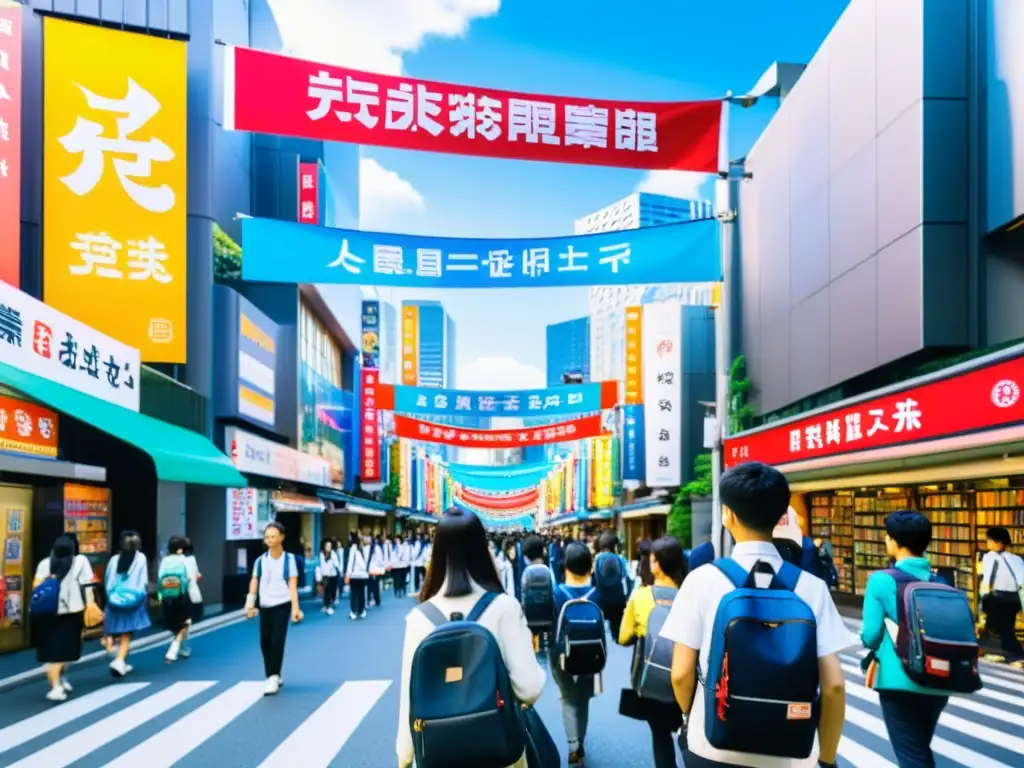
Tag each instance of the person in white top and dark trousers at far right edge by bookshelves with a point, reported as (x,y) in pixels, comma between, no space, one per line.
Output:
(1002,579)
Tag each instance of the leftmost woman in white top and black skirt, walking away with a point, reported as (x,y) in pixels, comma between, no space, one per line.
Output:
(59,636)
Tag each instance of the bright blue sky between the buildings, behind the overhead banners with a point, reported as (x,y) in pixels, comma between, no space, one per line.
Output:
(671,51)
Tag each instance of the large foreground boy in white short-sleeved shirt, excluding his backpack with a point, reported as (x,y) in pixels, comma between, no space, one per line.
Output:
(754,499)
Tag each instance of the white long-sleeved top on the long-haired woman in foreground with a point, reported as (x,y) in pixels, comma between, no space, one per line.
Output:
(504,620)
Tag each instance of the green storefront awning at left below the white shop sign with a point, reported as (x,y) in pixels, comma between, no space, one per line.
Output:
(180,455)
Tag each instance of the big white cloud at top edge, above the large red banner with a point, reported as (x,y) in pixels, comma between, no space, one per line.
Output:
(372,35)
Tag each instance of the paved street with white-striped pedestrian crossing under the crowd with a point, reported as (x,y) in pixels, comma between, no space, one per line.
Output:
(340,702)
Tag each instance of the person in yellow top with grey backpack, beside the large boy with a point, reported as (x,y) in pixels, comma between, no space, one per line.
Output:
(651,699)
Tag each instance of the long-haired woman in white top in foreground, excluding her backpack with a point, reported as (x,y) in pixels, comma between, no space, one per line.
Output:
(462,570)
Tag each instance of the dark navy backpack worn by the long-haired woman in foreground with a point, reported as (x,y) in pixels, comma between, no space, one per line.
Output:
(462,710)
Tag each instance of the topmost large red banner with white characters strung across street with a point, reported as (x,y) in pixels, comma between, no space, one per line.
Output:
(286,97)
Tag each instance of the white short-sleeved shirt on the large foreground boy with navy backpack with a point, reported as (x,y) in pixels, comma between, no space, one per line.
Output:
(692,622)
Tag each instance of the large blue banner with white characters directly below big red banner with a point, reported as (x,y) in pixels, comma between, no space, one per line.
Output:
(674,253)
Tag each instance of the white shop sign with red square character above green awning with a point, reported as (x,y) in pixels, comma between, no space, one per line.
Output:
(39,340)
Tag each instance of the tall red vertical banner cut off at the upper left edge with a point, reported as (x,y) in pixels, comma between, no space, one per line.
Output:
(11,143)
